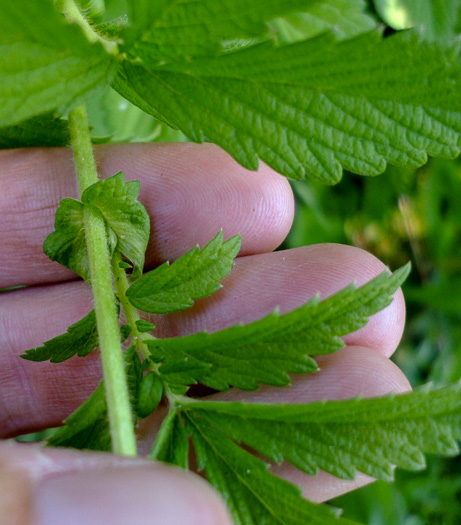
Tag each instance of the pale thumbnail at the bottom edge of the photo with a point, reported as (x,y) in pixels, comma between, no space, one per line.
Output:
(159,495)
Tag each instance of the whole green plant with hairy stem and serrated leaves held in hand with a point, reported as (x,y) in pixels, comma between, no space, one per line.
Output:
(234,73)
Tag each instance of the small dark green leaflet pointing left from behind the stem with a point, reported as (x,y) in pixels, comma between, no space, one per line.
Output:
(81,339)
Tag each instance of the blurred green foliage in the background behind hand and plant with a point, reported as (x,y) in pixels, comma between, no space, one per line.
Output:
(399,216)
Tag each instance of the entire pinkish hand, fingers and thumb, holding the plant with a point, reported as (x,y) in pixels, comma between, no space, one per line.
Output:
(191,192)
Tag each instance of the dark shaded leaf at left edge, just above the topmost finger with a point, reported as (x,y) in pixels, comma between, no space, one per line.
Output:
(45,130)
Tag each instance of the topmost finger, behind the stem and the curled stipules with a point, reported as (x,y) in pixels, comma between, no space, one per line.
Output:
(190,191)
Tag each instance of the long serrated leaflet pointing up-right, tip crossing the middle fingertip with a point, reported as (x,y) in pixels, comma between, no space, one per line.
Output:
(265,351)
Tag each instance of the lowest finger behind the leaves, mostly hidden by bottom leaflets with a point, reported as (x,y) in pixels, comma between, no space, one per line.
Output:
(353,371)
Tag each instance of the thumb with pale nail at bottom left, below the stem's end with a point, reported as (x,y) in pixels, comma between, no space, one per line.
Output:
(52,487)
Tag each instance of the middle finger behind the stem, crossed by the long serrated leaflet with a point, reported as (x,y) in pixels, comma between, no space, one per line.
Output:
(46,393)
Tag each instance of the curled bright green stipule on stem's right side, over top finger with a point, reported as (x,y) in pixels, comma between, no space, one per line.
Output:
(124,215)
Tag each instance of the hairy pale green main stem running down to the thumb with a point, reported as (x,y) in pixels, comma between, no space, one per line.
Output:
(115,382)
